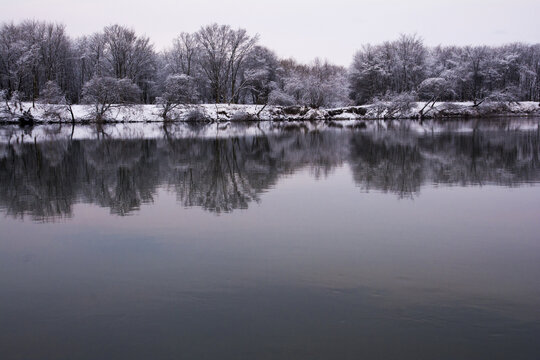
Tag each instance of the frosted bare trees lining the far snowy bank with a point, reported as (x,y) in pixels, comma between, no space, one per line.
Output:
(39,61)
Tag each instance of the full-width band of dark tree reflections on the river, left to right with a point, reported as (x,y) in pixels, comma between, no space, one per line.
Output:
(222,173)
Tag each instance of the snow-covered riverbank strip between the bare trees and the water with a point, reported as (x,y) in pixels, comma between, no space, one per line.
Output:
(45,113)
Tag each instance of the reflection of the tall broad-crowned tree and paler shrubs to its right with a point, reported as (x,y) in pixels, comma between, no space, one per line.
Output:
(227,174)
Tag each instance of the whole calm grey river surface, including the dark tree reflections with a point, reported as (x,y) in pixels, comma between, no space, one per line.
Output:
(330,244)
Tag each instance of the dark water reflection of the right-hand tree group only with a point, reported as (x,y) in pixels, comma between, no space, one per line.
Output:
(401,162)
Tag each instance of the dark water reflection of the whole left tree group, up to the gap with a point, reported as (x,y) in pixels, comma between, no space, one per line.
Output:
(219,174)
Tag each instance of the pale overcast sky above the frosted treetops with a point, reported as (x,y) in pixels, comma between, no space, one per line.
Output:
(331,29)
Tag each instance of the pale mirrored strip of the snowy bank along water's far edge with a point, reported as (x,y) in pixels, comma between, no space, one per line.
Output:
(14,133)
